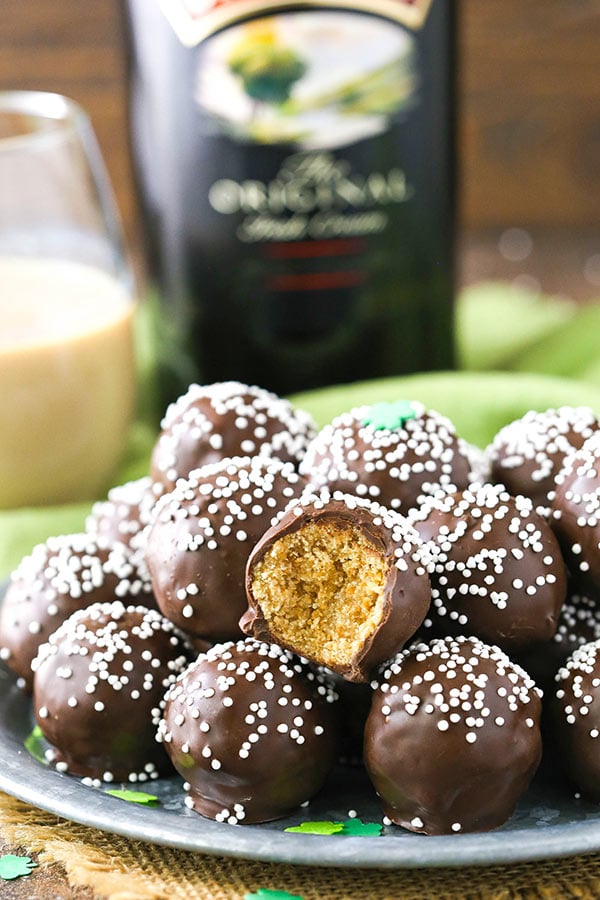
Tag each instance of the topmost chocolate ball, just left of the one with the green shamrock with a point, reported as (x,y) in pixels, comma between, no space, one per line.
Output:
(211,422)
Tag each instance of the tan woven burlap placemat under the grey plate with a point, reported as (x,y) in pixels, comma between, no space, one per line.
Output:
(115,868)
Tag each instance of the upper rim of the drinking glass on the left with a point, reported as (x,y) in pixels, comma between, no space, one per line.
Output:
(43,106)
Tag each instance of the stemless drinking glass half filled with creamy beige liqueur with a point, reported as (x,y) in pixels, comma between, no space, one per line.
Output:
(67,303)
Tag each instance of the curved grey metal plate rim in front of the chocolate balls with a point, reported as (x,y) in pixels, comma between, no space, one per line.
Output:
(33,782)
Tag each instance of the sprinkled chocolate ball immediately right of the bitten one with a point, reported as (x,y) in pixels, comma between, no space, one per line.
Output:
(498,572)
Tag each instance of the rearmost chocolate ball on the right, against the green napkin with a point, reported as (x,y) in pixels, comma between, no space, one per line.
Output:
(527,454)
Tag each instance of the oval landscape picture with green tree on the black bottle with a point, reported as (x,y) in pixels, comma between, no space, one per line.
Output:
(313,79)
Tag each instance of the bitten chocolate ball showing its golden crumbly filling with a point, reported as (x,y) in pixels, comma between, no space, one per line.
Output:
(338,580)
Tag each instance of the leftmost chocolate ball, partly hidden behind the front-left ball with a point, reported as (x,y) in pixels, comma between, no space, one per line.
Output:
(63,575)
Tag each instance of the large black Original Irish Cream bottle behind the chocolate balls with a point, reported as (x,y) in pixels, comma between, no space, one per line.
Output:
(295,170)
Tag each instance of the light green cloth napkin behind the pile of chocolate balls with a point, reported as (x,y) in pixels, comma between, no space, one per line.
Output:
(516,351)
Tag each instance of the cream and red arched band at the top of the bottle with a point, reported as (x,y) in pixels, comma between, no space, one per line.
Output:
(195,20)
